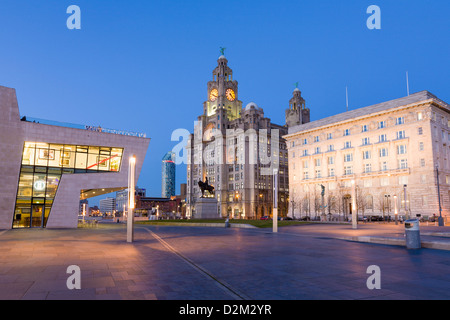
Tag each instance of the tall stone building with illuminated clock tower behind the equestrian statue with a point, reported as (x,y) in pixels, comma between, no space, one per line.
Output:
(236,149)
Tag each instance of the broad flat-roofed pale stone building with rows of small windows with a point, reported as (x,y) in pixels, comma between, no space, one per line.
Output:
(388,149)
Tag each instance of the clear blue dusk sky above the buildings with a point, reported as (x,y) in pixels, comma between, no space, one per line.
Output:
(143,65)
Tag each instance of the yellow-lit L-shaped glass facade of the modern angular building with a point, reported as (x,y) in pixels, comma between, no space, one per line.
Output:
(43,166)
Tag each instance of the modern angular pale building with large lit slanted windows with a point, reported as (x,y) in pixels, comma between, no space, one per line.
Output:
(46,167)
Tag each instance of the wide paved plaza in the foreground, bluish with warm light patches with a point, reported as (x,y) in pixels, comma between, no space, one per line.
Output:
(307,262)
